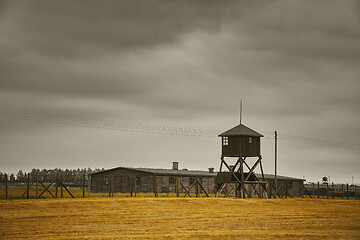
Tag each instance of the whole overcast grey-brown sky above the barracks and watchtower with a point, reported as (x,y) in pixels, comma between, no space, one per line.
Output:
(182,64)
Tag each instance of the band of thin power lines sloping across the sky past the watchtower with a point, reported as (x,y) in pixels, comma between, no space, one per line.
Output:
(63,119)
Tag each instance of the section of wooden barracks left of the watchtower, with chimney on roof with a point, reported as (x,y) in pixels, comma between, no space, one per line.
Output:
(146,180)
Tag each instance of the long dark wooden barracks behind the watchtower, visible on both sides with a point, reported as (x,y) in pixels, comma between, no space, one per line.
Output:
(152,180)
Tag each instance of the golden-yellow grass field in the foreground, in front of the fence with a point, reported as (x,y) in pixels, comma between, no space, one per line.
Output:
(179,218)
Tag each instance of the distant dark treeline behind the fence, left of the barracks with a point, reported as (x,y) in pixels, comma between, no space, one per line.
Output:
(49,175)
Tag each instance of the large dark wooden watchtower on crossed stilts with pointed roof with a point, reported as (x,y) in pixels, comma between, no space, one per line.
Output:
(242,143)
